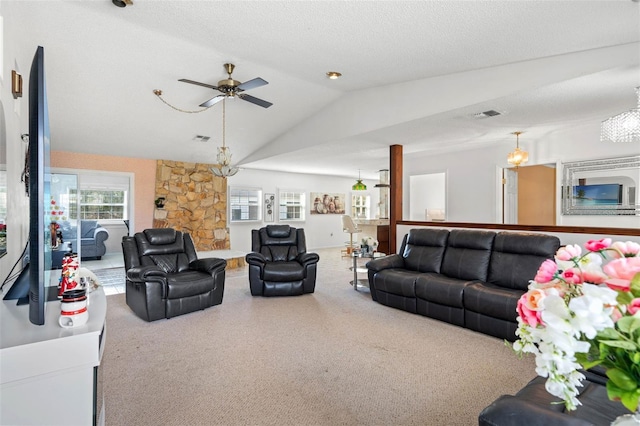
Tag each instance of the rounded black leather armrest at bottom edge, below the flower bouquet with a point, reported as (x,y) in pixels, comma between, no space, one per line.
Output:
(509,410)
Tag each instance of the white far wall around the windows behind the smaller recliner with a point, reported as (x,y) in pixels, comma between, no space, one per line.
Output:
(321,231)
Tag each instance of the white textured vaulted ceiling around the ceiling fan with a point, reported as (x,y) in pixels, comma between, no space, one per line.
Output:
(414,73)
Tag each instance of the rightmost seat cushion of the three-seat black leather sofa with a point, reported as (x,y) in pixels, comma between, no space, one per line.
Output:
(492,300)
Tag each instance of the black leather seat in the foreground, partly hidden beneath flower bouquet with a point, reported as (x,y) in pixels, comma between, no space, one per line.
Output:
(534,406)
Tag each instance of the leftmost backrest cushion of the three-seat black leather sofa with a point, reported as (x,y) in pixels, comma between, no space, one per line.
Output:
(424,249)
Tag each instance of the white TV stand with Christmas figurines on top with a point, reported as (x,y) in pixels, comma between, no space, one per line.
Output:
(49,374)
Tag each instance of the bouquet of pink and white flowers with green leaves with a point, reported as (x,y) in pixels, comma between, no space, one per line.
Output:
(583,310)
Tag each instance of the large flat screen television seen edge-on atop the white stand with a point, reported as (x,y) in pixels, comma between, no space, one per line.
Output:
(31,284)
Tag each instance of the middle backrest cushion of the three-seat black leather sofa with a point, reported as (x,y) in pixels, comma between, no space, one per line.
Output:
(467,254)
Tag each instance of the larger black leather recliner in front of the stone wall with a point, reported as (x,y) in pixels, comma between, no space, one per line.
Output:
(165,278)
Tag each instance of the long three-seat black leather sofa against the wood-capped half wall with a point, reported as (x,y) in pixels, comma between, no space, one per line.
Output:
(470,278)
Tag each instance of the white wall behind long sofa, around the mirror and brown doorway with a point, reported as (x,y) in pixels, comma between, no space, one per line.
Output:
(473,193)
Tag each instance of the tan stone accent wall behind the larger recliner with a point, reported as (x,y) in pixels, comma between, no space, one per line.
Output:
(195,202)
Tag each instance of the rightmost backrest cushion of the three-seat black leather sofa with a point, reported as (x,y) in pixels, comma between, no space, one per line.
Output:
(516,258)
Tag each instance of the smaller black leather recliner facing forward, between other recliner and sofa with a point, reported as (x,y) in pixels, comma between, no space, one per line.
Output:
(279,264)
